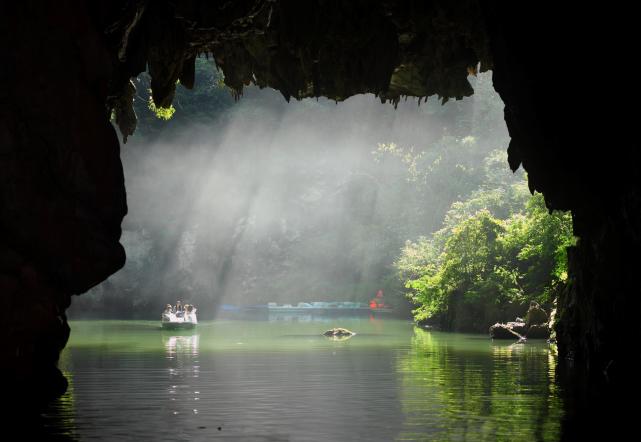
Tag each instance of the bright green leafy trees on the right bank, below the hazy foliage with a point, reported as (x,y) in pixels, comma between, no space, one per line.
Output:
(473,270)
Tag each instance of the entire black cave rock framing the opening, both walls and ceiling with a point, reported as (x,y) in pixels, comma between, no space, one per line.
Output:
(67,64)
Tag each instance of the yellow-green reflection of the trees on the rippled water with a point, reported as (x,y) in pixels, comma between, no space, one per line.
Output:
(451,390)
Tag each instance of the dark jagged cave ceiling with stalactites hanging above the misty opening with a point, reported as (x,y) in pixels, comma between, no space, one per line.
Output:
(334,49)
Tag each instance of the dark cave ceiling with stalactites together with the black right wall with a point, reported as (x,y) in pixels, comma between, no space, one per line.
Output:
(395,49)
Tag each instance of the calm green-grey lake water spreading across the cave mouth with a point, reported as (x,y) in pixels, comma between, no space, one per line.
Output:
(283,381)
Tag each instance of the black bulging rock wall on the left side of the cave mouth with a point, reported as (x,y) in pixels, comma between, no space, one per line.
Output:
(62,195)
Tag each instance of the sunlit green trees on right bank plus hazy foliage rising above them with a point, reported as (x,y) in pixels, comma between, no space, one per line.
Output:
(497,247)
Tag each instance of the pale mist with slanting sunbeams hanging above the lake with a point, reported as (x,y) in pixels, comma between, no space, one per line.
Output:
(272,201)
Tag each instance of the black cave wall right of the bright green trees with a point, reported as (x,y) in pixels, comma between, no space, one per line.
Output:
(560,72)
